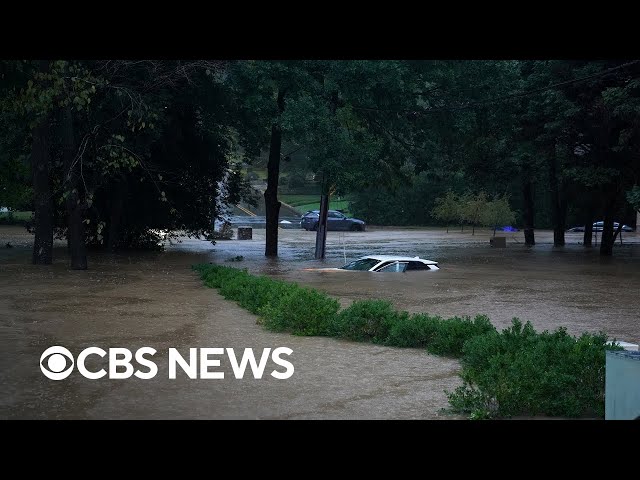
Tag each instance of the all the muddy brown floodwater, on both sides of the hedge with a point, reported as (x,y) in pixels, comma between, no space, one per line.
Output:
(156,300)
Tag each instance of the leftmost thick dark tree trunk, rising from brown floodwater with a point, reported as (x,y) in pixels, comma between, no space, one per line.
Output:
(40,165)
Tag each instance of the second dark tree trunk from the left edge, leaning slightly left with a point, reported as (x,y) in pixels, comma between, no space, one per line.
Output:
(74,202)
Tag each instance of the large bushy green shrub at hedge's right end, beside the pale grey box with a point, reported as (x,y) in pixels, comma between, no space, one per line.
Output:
(521,372)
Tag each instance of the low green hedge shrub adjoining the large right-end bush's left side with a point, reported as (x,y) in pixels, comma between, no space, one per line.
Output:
(451,334)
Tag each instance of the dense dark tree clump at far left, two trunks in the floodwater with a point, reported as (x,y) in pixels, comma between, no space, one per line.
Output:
(153,135)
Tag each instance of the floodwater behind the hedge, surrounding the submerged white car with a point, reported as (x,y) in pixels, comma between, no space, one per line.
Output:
(571,286)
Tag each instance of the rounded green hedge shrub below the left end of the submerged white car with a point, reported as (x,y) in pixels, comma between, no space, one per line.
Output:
(366,320)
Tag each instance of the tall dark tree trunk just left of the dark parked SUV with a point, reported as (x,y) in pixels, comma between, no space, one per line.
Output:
(271,202)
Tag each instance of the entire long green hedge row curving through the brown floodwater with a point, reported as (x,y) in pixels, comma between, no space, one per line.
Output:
(514,372)
